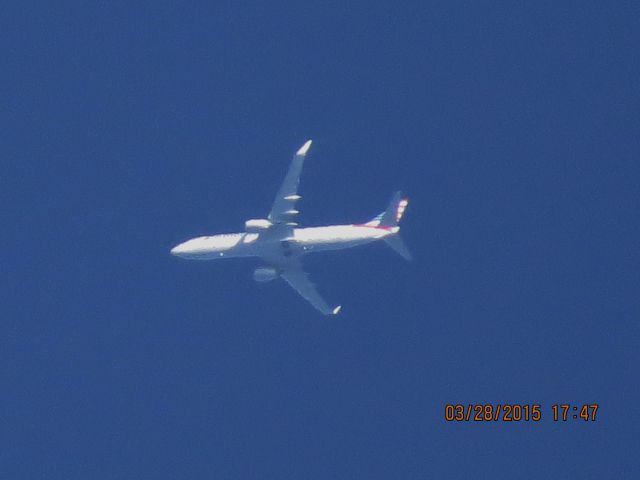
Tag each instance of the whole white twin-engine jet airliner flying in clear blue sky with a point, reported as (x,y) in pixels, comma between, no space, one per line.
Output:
(280,243)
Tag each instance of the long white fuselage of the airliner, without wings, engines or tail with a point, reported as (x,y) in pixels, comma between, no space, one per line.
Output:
(275,248)
